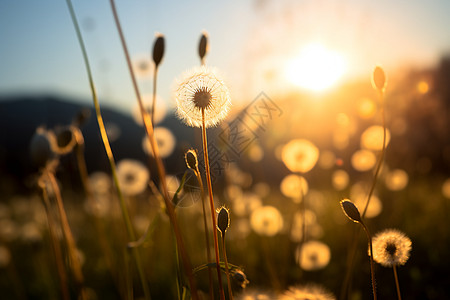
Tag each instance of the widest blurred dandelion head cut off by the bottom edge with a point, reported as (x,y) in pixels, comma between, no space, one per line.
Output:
(307,292)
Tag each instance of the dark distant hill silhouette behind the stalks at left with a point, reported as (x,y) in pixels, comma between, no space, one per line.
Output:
(20,116)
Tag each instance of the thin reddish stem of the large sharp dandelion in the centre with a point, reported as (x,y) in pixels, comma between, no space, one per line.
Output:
(211,203)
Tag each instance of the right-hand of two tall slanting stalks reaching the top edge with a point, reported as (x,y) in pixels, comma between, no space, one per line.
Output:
(159,164)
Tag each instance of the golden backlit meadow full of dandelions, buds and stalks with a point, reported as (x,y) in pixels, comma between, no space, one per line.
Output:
(287,197)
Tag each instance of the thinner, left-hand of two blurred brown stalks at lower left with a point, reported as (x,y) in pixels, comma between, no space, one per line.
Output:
(56,246)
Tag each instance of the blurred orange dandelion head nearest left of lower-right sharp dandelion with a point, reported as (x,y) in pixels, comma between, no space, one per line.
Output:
(313,255)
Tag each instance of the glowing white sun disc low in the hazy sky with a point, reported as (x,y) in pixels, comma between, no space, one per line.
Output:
(316,68)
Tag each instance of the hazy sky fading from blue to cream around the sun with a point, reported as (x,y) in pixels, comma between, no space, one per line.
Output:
(251,42)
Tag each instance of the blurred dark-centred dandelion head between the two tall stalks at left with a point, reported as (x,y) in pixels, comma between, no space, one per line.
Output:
(133,176)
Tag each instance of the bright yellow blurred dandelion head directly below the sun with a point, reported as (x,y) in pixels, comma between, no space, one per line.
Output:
(300,155)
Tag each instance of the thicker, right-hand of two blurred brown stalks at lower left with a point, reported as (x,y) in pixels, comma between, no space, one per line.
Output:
(68,236)
